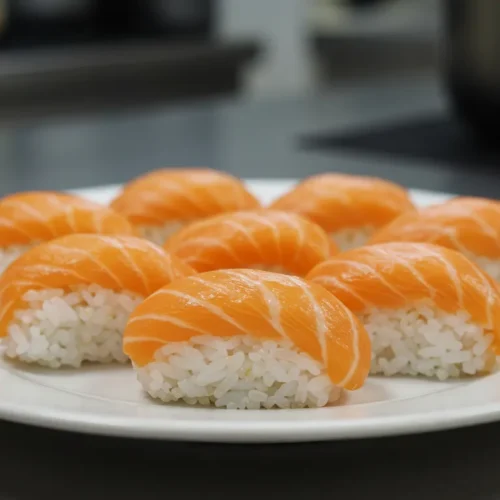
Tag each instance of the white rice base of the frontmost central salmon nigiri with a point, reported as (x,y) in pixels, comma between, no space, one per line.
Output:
(238,372)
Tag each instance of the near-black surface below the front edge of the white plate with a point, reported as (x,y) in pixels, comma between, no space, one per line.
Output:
(444,465)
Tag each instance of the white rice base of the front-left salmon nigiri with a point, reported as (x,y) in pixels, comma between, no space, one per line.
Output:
(67,327)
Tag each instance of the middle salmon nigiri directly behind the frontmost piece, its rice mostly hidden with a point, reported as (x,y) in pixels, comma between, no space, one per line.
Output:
(264,239)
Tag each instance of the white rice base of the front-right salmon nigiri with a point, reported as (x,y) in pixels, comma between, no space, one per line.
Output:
(423,340)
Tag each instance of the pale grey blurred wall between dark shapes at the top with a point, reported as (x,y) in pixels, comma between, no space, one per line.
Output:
(282,27)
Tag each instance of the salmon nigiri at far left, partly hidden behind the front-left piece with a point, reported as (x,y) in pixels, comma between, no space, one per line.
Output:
(29,218)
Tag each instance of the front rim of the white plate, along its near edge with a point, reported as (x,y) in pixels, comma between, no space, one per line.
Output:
(245,432)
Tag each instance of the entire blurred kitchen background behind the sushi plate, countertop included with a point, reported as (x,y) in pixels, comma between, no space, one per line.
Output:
(100,91)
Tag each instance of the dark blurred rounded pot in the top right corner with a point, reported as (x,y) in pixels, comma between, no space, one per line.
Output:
(471,60)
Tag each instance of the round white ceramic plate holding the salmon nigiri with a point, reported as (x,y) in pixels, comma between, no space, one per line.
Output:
(108,399)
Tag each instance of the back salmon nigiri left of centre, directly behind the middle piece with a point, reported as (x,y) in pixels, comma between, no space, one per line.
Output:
(161,202)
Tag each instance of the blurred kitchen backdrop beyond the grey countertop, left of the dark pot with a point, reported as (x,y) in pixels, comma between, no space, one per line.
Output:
(84,54)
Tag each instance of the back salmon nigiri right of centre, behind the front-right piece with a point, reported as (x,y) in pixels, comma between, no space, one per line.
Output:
(350,208)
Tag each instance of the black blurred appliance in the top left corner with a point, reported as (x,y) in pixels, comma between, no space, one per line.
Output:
(34,23)
